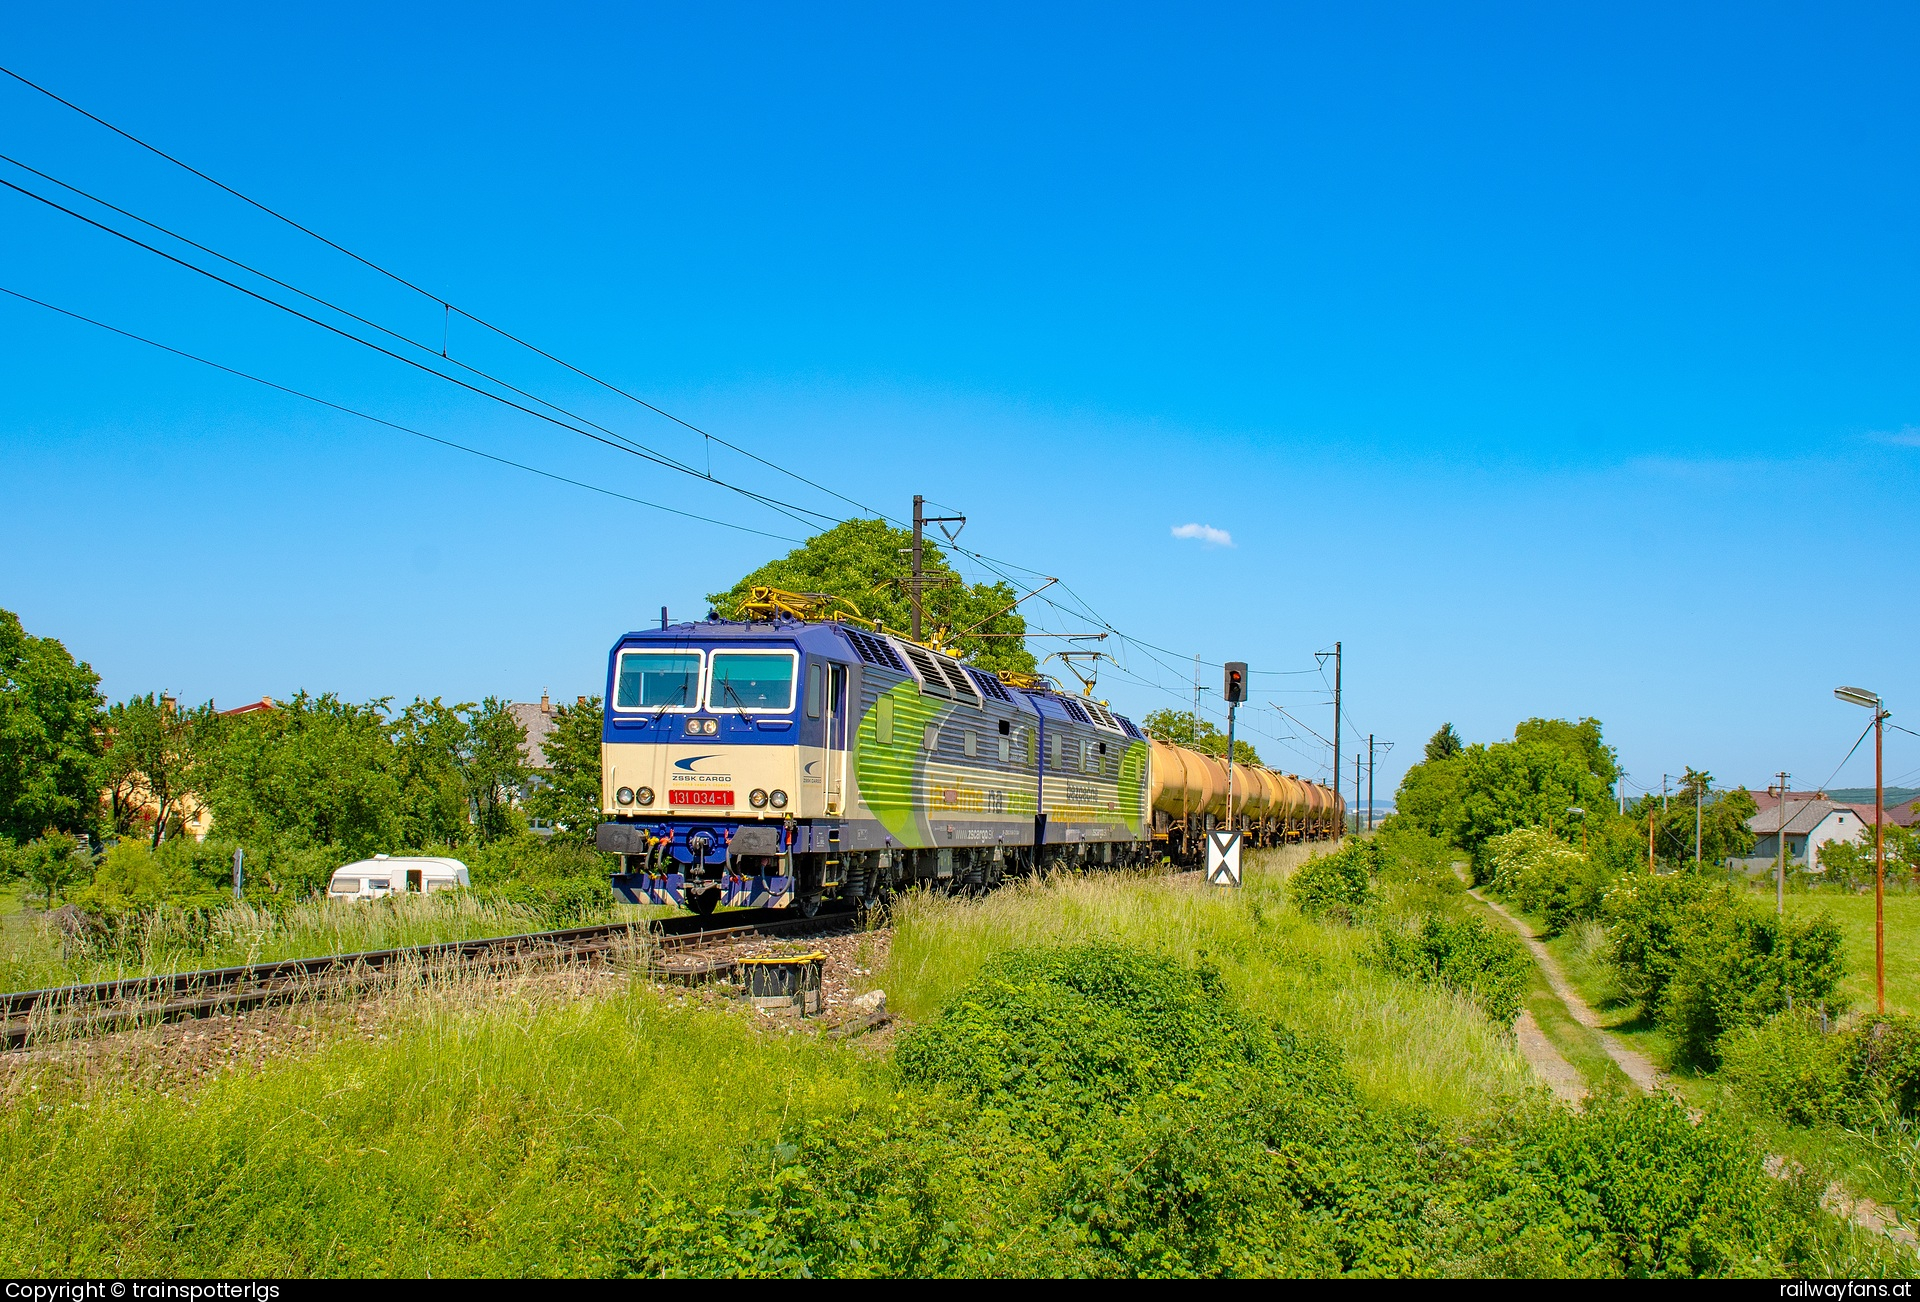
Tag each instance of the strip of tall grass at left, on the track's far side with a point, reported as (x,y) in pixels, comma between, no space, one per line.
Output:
(36,953)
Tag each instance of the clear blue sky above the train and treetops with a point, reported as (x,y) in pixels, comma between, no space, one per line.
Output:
(1554,362)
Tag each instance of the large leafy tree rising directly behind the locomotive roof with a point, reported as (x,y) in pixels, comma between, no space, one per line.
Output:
(867,564)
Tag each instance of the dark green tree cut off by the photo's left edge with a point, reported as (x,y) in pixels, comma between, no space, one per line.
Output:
(49,736)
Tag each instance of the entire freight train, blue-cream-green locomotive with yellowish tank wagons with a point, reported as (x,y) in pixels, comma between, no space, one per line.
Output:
(790,761)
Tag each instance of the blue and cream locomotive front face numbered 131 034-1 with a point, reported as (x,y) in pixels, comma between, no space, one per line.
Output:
(717,740)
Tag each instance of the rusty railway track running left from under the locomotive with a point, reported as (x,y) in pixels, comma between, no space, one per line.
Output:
(174,998)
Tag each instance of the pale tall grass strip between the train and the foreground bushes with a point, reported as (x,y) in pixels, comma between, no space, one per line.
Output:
(1404,1044)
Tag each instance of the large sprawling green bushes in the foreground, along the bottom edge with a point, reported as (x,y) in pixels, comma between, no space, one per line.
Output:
(1105,1113)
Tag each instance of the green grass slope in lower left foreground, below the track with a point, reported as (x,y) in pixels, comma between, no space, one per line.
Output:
(483,1130)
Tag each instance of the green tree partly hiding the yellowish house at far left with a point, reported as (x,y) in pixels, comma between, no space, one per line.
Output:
(151,759)
